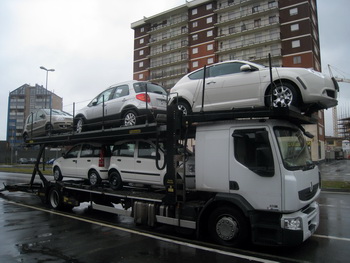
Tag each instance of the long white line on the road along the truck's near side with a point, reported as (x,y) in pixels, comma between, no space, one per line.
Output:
(182,243)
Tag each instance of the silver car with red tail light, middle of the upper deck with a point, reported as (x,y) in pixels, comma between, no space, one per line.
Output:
(125,104)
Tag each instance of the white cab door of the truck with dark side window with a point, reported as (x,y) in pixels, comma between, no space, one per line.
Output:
(254,171)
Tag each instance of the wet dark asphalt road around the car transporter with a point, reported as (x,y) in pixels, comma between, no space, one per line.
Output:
(29,232)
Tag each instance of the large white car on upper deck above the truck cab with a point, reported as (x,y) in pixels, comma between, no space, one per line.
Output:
(240,84)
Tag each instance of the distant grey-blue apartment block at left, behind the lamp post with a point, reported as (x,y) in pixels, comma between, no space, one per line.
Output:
(22,101)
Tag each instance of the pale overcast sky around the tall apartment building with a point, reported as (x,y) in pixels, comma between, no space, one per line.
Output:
(89,43)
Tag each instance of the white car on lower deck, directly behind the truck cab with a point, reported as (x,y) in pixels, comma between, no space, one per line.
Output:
(137,161)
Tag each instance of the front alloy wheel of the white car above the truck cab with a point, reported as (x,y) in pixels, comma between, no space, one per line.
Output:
(283,95)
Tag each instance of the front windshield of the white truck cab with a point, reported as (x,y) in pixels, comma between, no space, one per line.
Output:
(293,148)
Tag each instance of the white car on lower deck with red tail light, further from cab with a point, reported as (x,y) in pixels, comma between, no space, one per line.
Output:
(88,161)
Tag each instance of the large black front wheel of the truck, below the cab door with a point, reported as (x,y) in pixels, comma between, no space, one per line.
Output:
(228,227)
